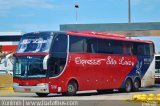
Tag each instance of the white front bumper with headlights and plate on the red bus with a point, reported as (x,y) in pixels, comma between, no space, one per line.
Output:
(39,88)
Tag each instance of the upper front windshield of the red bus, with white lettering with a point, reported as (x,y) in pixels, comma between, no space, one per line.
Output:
(31,43)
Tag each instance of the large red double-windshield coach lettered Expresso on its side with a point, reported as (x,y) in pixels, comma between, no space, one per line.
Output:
(67,62)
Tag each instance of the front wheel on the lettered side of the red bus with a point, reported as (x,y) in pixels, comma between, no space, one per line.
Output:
(72,88)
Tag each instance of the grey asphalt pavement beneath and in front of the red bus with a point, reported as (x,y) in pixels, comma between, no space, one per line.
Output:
(91,97)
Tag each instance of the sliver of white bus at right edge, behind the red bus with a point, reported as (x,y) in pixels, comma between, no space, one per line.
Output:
(157,68)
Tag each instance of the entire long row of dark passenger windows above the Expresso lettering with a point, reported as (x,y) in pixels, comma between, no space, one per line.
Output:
(106,46)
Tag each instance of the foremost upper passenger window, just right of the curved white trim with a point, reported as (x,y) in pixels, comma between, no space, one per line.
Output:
(76,44)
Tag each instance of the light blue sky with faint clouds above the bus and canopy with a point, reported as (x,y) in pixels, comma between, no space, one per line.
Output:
(47,15)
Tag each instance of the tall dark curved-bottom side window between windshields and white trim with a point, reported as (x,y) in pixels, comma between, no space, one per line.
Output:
(58,57)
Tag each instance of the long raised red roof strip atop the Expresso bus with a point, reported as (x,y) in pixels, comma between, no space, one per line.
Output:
(106,36)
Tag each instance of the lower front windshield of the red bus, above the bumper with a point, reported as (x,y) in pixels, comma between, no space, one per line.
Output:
(29,67)
